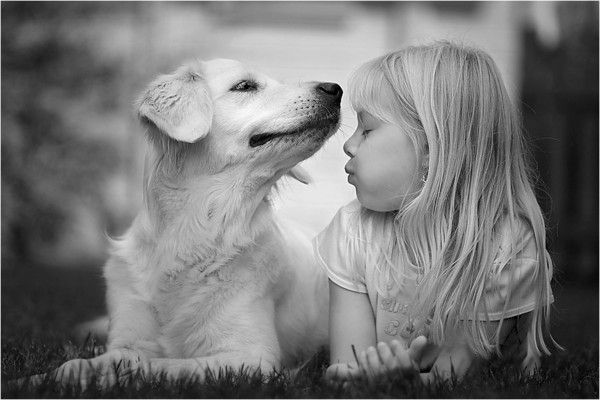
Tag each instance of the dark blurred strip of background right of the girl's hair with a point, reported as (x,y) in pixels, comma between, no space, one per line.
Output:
(560,110)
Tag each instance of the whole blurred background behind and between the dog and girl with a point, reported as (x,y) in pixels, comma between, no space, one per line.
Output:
(72,151)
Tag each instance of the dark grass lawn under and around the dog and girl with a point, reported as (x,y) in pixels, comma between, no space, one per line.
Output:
(41,305)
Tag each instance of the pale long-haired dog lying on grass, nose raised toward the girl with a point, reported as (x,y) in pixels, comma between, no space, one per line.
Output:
(206,277)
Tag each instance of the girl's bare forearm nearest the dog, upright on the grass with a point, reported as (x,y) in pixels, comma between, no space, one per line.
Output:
(351,323)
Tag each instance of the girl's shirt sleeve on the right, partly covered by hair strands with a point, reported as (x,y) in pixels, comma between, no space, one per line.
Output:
(511,289)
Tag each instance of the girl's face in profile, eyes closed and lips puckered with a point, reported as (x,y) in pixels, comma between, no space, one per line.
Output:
(383,164)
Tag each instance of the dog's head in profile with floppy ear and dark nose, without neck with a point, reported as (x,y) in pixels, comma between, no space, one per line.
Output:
(219,114)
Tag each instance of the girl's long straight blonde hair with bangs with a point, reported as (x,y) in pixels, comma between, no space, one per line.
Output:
(450,100)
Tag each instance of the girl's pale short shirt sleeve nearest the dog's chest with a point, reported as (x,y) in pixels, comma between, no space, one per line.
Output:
(332,252)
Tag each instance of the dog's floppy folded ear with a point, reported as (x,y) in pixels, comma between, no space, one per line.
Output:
(179,105)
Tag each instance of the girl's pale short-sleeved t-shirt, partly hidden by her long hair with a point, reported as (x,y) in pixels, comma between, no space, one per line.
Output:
(391,314)
